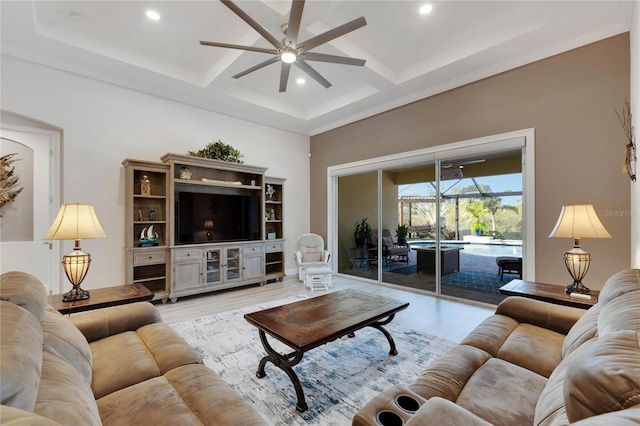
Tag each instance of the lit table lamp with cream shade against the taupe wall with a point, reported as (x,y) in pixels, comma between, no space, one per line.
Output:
(578,221)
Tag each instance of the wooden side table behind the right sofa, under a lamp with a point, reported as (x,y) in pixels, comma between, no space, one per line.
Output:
(547,293)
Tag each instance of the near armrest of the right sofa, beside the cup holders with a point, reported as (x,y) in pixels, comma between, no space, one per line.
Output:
(440,411)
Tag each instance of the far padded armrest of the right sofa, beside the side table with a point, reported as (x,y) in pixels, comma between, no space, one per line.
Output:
(542,314)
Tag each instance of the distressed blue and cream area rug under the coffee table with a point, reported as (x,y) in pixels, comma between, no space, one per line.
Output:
(338,378)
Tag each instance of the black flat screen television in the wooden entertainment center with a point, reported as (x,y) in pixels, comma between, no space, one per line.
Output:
(210,218)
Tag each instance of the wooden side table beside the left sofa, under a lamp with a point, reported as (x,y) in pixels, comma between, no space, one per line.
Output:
(103,297)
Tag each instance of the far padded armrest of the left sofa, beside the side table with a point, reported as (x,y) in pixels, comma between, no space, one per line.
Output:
(101,323)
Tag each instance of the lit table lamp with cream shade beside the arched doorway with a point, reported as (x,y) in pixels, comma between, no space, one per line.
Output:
(75,222)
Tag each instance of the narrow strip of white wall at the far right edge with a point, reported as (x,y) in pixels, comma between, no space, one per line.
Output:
(635,110)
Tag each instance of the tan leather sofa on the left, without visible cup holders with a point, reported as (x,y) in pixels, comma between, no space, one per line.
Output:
(113,366)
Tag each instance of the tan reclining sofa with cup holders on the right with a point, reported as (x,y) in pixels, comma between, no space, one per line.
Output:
(532,363)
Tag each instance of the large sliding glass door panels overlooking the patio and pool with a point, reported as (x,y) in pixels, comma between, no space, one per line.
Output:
(444,223)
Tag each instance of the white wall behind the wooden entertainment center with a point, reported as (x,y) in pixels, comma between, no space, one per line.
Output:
(103,124)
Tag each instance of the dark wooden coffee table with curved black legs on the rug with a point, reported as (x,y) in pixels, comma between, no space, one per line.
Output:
(313,322)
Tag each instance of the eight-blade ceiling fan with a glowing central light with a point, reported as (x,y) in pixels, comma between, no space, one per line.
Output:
(288,51)
